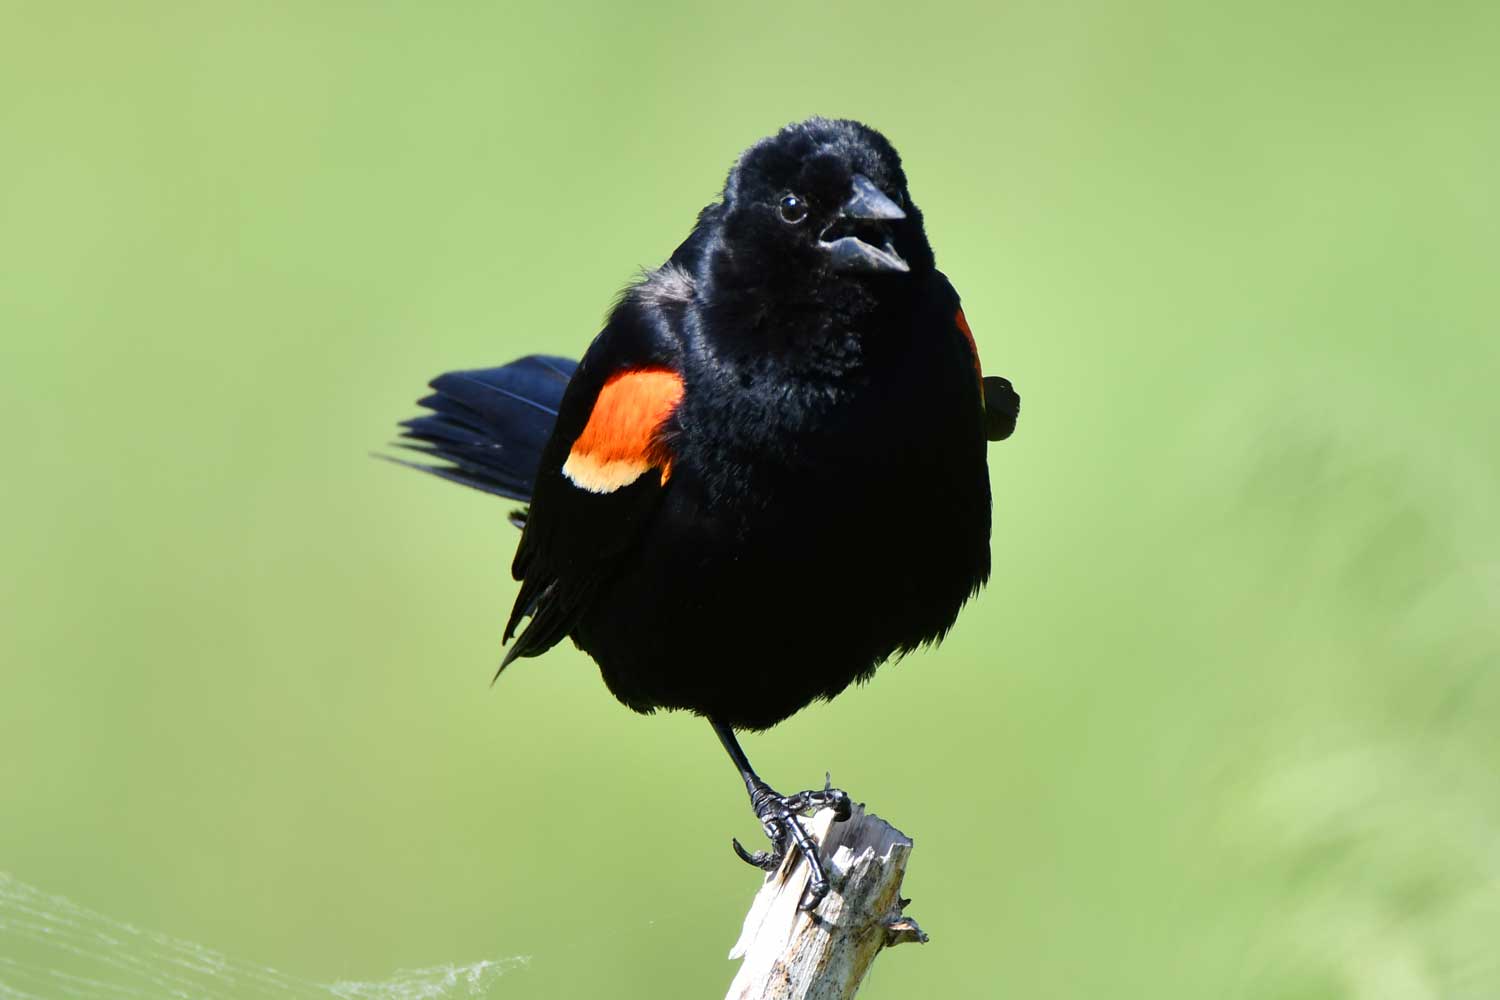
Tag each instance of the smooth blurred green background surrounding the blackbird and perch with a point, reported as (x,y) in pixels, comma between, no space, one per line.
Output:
(1225,725)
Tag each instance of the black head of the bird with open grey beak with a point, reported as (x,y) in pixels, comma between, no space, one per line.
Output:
(823,202)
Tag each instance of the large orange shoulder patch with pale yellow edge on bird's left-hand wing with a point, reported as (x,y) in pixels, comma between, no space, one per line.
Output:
(623,434)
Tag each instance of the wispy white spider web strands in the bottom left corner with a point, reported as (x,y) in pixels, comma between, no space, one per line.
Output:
(55,950)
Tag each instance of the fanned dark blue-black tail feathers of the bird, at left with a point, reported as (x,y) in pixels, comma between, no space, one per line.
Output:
(490,427)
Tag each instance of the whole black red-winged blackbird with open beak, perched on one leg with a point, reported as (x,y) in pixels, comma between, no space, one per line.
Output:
(767,476)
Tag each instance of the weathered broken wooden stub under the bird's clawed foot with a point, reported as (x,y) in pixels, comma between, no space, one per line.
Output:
(826,954)
